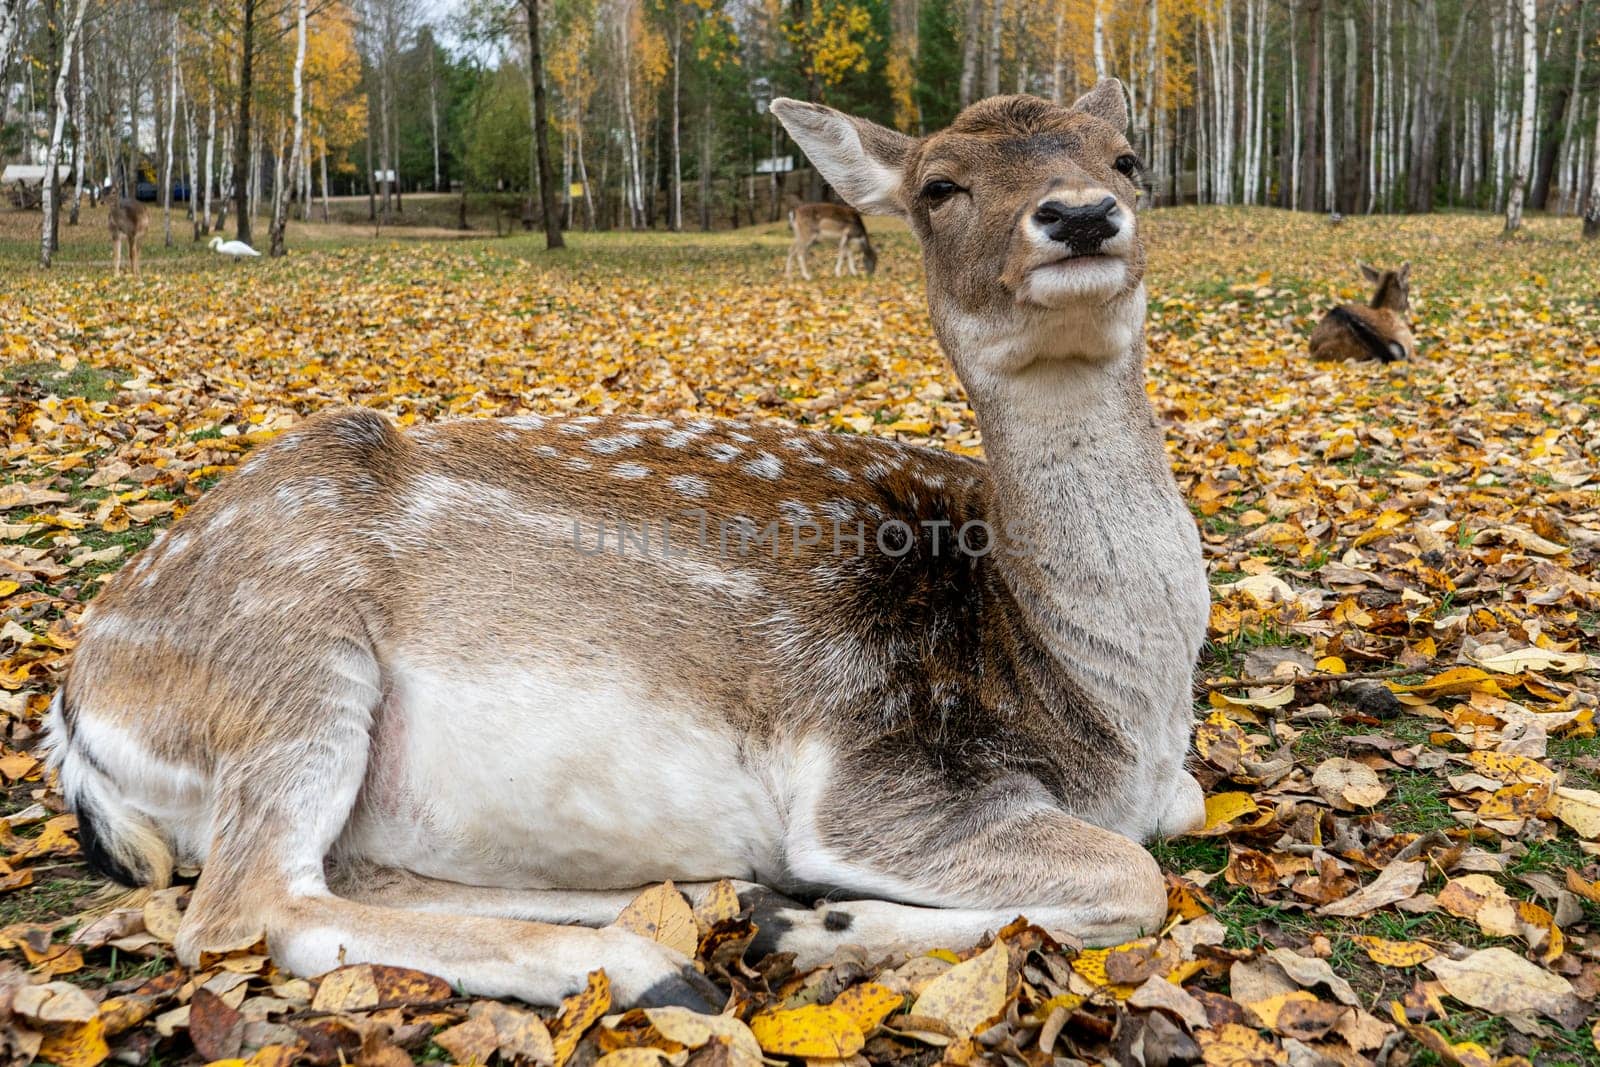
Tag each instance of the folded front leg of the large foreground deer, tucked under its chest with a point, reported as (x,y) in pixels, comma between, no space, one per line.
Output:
(950,863)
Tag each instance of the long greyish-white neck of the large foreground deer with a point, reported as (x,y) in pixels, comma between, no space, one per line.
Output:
(1108,561)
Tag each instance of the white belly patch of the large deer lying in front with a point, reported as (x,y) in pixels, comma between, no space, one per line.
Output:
(558,781)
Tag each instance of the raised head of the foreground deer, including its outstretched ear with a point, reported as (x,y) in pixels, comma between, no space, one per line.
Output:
(1025,212)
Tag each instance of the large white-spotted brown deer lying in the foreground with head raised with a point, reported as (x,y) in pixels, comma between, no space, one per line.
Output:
(446,698)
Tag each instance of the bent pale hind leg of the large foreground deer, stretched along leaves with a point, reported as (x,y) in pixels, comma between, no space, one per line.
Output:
(278,817)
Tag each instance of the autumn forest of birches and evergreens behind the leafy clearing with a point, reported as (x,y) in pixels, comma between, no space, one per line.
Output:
(654,113)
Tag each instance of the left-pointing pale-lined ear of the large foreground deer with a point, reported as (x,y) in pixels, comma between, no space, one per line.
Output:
(862,161)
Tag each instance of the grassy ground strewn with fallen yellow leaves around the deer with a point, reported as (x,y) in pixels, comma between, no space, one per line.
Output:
(1396,708)
